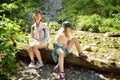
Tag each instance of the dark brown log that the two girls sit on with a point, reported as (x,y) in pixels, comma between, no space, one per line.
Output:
(72,60)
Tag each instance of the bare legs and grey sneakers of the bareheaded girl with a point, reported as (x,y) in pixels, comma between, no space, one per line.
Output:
(34,51)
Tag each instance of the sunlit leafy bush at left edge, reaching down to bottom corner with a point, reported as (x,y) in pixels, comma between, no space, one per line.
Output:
(9,33)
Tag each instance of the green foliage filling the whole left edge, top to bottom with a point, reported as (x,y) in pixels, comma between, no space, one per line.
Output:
(12,29)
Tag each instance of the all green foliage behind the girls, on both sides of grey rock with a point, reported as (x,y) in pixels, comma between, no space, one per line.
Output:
(87,15)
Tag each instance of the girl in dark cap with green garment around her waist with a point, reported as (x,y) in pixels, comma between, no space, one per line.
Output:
(62,45)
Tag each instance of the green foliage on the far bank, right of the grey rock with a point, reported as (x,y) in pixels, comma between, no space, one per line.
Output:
(92,15)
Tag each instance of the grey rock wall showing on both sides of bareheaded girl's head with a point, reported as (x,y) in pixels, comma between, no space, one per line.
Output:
(49,8)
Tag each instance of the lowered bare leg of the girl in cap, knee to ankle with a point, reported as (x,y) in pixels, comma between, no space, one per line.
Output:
(61,59)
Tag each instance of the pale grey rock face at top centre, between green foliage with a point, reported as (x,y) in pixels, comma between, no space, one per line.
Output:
(52,7)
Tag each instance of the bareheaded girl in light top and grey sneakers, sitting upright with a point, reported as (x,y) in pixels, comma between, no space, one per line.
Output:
(40,34)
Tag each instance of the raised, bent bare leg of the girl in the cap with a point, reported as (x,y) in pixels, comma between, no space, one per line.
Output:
(76,42)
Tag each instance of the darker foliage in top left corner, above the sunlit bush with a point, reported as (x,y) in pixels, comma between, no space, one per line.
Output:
(17,10)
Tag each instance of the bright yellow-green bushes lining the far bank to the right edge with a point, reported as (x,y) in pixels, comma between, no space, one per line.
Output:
(95,23)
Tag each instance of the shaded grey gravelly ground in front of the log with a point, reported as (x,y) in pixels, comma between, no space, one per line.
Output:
(71,74)
